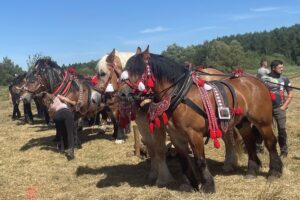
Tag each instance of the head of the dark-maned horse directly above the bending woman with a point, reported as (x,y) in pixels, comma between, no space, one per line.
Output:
(46,75)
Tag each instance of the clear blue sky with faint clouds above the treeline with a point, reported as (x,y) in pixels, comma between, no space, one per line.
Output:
(81,30)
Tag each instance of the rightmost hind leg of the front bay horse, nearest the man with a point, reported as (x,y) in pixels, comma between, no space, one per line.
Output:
(275,166)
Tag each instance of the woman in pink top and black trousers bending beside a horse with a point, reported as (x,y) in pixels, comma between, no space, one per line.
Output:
(64,122)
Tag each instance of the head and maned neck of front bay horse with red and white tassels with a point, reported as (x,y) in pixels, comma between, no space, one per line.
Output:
(149,74)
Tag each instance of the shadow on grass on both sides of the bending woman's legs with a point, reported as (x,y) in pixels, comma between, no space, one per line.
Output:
(47,143)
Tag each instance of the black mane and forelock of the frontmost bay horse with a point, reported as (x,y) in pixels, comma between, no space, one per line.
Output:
(162,67)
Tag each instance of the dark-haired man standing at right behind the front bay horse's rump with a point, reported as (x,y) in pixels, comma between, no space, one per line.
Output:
(278,84)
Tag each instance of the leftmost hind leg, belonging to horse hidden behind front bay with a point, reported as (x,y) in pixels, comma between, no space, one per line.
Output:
(231,161)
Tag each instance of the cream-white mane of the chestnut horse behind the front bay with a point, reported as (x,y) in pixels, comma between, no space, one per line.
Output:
(123,56)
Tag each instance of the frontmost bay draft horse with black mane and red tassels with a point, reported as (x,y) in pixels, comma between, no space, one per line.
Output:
(187,128)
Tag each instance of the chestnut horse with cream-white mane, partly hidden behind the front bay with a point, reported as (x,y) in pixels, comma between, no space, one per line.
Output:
(109,68)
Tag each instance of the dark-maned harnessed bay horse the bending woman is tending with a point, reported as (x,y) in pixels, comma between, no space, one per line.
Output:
(48,77)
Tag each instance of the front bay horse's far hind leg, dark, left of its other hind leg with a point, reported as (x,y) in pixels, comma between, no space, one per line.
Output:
(249,140)
